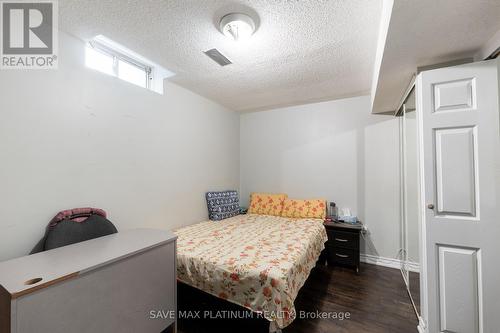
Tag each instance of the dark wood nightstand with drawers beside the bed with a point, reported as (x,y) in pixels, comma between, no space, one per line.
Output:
(343,244)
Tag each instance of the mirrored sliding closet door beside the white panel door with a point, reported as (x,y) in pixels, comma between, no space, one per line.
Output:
(409,198)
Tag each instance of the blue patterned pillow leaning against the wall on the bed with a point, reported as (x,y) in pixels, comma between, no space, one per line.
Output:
(222,205)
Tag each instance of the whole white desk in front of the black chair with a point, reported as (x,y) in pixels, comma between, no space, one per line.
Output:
(107,284)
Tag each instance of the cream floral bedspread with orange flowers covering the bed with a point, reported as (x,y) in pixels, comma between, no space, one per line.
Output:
(257,261)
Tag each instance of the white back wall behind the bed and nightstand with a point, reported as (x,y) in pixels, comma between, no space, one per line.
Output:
(336,150)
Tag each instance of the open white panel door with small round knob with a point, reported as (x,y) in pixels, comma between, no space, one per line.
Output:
(458,115)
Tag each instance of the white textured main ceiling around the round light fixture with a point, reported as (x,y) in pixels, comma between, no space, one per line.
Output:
(302,51)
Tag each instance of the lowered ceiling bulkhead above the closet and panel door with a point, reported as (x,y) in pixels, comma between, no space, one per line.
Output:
(428,32)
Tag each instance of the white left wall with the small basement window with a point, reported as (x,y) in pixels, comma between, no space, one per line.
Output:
(73,137)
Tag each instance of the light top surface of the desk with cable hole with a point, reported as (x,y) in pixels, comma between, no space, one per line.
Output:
(69,261)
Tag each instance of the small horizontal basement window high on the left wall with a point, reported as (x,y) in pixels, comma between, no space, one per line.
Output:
(108,57)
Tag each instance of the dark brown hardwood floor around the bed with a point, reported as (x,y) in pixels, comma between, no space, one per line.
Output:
(376,300)
